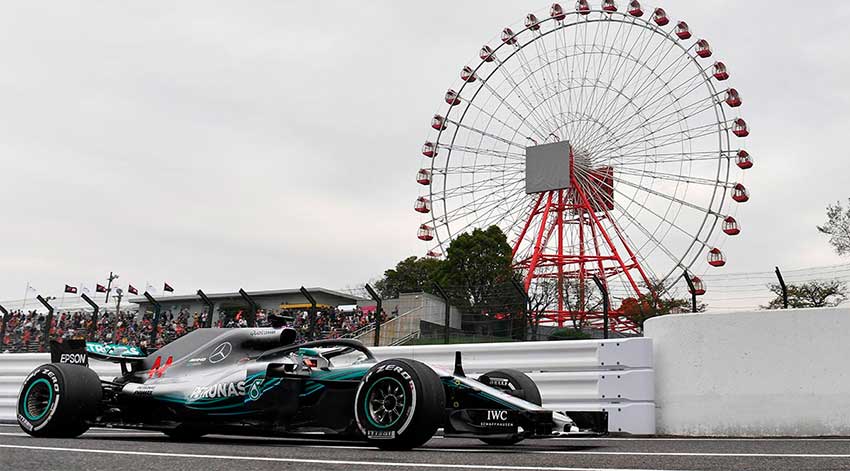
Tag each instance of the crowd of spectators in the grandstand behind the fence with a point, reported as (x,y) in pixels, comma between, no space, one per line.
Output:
(24,331)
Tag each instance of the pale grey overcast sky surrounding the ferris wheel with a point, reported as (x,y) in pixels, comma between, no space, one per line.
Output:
(274,144)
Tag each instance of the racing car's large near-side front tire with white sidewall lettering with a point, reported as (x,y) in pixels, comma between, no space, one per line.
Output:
(399,404)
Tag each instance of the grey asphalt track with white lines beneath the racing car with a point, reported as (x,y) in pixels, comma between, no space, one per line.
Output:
(104,449)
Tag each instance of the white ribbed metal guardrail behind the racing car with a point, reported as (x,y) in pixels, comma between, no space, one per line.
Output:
(587,375)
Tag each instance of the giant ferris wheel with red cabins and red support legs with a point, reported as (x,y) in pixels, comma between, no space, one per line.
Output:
(604,142)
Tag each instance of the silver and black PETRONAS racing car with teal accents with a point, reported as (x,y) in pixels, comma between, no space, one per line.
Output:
(260,381)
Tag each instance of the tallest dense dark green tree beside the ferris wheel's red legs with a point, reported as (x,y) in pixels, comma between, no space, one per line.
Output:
(477,263)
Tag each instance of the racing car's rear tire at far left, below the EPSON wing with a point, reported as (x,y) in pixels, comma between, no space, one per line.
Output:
(57,400)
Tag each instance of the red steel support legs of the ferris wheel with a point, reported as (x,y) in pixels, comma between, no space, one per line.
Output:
(584,204)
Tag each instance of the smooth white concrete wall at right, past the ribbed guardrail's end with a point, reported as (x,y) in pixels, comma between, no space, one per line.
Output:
(765,373)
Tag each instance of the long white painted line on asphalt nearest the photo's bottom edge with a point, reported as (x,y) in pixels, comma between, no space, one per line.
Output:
(371,464)
